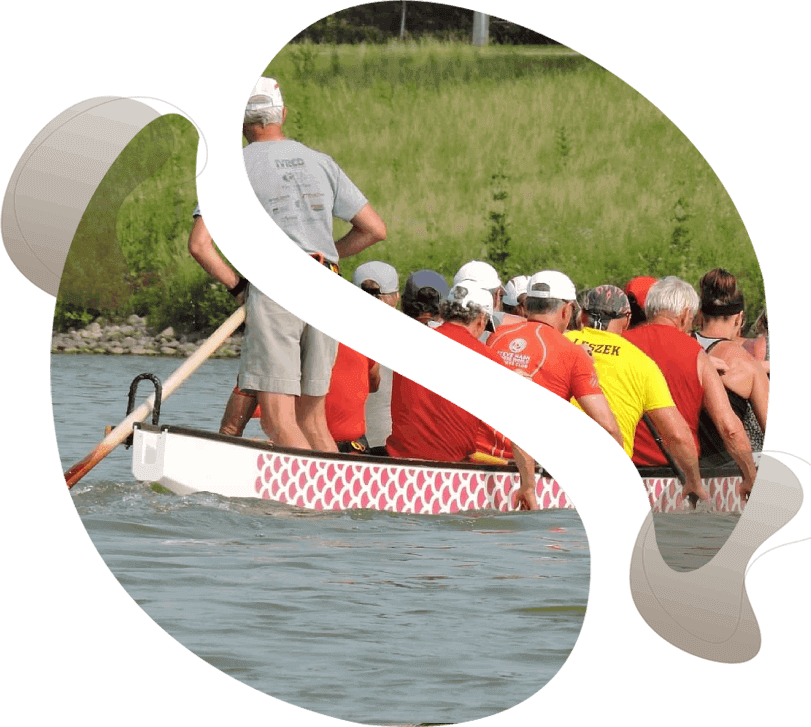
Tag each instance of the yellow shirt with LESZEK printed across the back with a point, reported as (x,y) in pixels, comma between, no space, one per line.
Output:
(631,381)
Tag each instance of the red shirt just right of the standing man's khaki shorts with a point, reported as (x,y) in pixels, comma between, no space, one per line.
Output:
(348,392)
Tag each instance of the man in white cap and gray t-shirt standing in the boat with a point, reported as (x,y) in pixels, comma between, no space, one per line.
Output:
(285,360)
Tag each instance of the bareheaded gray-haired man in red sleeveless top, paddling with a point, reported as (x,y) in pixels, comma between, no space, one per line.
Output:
(670,307)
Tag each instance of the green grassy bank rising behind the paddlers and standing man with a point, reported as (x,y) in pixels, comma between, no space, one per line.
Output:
(533,157)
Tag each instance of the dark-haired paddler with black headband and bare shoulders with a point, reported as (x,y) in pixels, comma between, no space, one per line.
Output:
(746,381)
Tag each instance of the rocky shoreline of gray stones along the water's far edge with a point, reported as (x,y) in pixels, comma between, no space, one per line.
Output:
(135,338)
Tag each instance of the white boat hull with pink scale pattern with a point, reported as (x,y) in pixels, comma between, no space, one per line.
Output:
(186,461)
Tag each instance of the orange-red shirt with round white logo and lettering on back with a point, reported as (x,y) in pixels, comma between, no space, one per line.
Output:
(539,352)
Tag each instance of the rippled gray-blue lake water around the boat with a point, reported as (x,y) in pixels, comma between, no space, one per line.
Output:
(372,618)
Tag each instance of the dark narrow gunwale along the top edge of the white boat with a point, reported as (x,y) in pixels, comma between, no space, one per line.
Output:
(708,471)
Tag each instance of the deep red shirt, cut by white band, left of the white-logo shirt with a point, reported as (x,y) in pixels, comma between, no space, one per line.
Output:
(425,425)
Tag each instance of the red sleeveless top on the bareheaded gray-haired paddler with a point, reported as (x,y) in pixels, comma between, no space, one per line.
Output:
(676,354)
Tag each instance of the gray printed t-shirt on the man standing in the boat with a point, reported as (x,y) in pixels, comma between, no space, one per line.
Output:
(302,190)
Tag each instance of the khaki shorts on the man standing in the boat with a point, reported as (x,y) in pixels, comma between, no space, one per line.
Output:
(282,353)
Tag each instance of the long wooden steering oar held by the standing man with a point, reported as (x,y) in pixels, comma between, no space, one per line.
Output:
(123,430)
